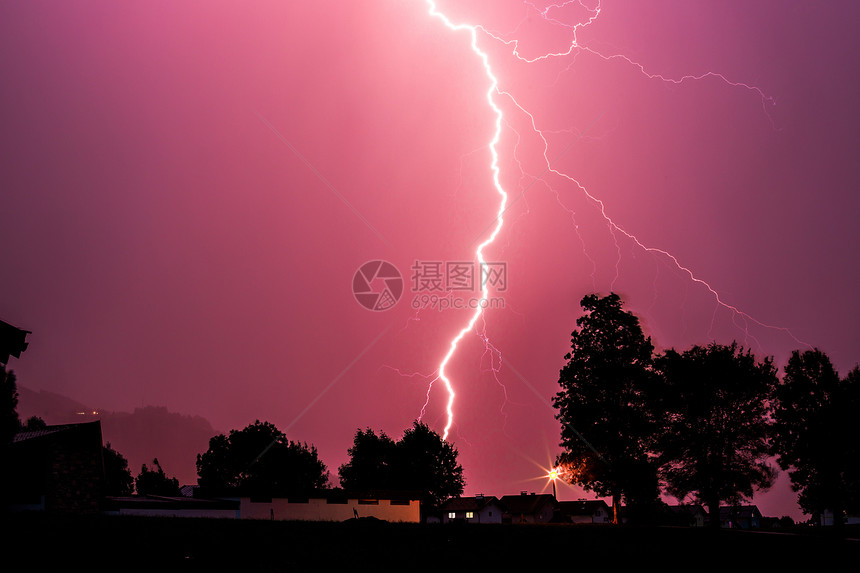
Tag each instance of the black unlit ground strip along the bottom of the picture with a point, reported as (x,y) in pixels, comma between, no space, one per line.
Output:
(97,543)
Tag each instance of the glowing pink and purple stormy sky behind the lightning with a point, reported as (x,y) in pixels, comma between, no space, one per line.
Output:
(189,187)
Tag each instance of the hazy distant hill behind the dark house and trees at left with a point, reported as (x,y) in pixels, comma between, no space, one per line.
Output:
(147,433)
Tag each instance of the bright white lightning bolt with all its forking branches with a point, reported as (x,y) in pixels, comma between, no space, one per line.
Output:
(739,318)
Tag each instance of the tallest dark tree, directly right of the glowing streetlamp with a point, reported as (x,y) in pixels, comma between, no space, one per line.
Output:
(604,406)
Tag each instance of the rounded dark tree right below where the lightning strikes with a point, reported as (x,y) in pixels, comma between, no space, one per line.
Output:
(420,461)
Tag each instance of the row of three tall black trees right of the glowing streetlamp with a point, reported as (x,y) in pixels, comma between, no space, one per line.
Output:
(702,423)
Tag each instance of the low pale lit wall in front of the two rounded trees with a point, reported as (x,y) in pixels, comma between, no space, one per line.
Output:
(315,509)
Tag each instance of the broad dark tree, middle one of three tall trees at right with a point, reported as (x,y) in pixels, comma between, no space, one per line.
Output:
(716,437)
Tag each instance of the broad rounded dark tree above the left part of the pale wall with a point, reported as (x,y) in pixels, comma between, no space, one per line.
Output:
(259,461)
